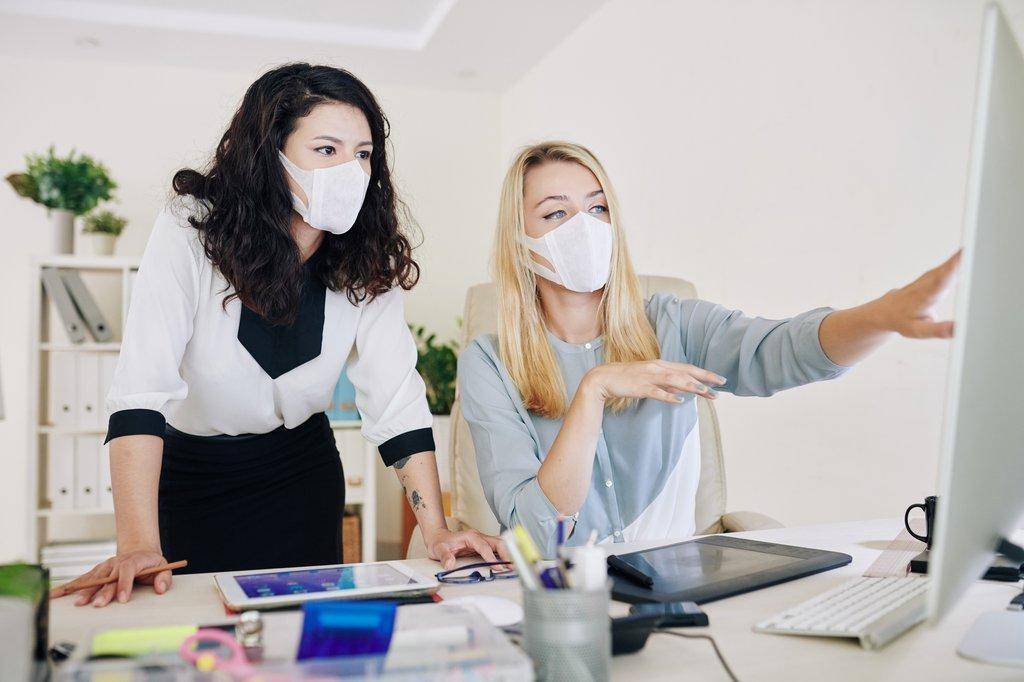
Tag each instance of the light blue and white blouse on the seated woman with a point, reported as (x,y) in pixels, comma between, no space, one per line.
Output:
(646,455)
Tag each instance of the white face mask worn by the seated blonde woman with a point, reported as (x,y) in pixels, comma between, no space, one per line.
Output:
(581,251)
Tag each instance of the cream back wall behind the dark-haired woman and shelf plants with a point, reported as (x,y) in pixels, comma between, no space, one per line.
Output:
(146,122)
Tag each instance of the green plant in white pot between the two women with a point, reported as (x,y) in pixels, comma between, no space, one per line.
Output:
(437,363)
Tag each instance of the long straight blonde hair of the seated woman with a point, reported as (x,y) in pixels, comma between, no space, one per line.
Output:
(523,334)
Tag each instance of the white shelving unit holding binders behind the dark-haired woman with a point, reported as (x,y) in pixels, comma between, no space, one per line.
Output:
(48,338)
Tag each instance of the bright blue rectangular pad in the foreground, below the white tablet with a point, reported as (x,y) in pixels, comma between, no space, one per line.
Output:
(332,629)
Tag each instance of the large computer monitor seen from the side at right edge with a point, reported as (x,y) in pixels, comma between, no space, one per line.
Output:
(982,472)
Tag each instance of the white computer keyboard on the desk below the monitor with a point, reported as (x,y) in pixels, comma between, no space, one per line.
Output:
(875,611)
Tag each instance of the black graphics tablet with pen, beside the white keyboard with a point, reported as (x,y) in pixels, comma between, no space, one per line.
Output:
(713,568)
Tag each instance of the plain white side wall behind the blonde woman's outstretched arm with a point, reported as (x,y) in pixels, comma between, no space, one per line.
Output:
(783,156)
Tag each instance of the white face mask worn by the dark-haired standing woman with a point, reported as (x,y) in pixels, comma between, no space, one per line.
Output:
(335,194)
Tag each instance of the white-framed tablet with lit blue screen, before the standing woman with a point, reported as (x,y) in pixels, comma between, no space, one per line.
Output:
(282,587)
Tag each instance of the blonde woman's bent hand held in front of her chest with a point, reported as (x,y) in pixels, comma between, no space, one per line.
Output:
(659,379)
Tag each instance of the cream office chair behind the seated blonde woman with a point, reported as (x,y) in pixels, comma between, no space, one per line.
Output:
(470,507)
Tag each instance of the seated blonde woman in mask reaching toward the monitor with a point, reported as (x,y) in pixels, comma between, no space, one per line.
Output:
(583,405)
